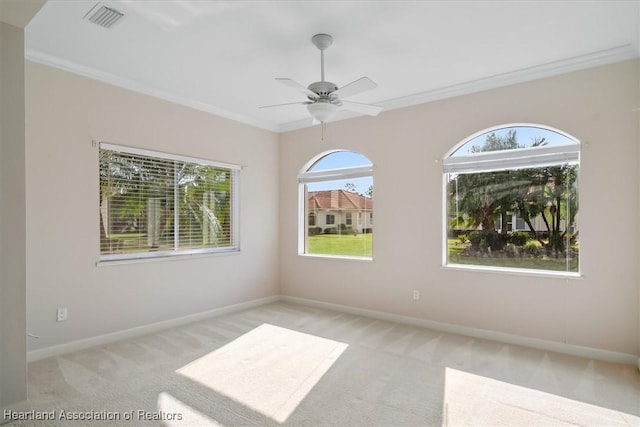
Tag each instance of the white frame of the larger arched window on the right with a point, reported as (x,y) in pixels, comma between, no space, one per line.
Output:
(519,158)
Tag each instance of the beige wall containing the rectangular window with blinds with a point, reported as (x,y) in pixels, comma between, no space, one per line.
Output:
(64,112)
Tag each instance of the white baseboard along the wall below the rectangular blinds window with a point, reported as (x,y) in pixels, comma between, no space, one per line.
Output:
(69,347)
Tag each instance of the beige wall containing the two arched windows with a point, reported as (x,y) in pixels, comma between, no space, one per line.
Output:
(600,310)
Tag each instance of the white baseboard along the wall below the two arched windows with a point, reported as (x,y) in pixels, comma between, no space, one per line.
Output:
(558,347)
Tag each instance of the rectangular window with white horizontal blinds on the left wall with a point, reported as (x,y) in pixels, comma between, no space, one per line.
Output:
(155,204)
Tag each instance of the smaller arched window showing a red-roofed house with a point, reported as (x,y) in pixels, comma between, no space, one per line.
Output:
(336,206)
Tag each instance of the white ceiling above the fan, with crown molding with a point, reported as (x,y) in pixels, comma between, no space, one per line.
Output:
(223,56)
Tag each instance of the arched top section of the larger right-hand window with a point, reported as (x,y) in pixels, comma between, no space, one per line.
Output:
(519,145)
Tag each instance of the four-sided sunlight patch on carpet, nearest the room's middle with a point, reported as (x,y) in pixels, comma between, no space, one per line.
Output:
(269,369)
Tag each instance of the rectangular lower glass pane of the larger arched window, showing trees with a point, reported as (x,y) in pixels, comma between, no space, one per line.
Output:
(541,201)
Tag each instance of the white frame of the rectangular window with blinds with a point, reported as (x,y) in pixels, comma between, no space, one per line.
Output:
(234,245)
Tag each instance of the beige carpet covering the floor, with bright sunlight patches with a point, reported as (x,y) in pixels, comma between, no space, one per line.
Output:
(291,365)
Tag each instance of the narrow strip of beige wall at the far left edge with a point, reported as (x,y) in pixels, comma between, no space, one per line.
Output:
(13,366)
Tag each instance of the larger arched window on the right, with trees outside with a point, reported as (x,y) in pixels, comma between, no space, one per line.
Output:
(511,199)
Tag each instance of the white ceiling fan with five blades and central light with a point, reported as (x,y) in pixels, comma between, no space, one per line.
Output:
(324,98)
